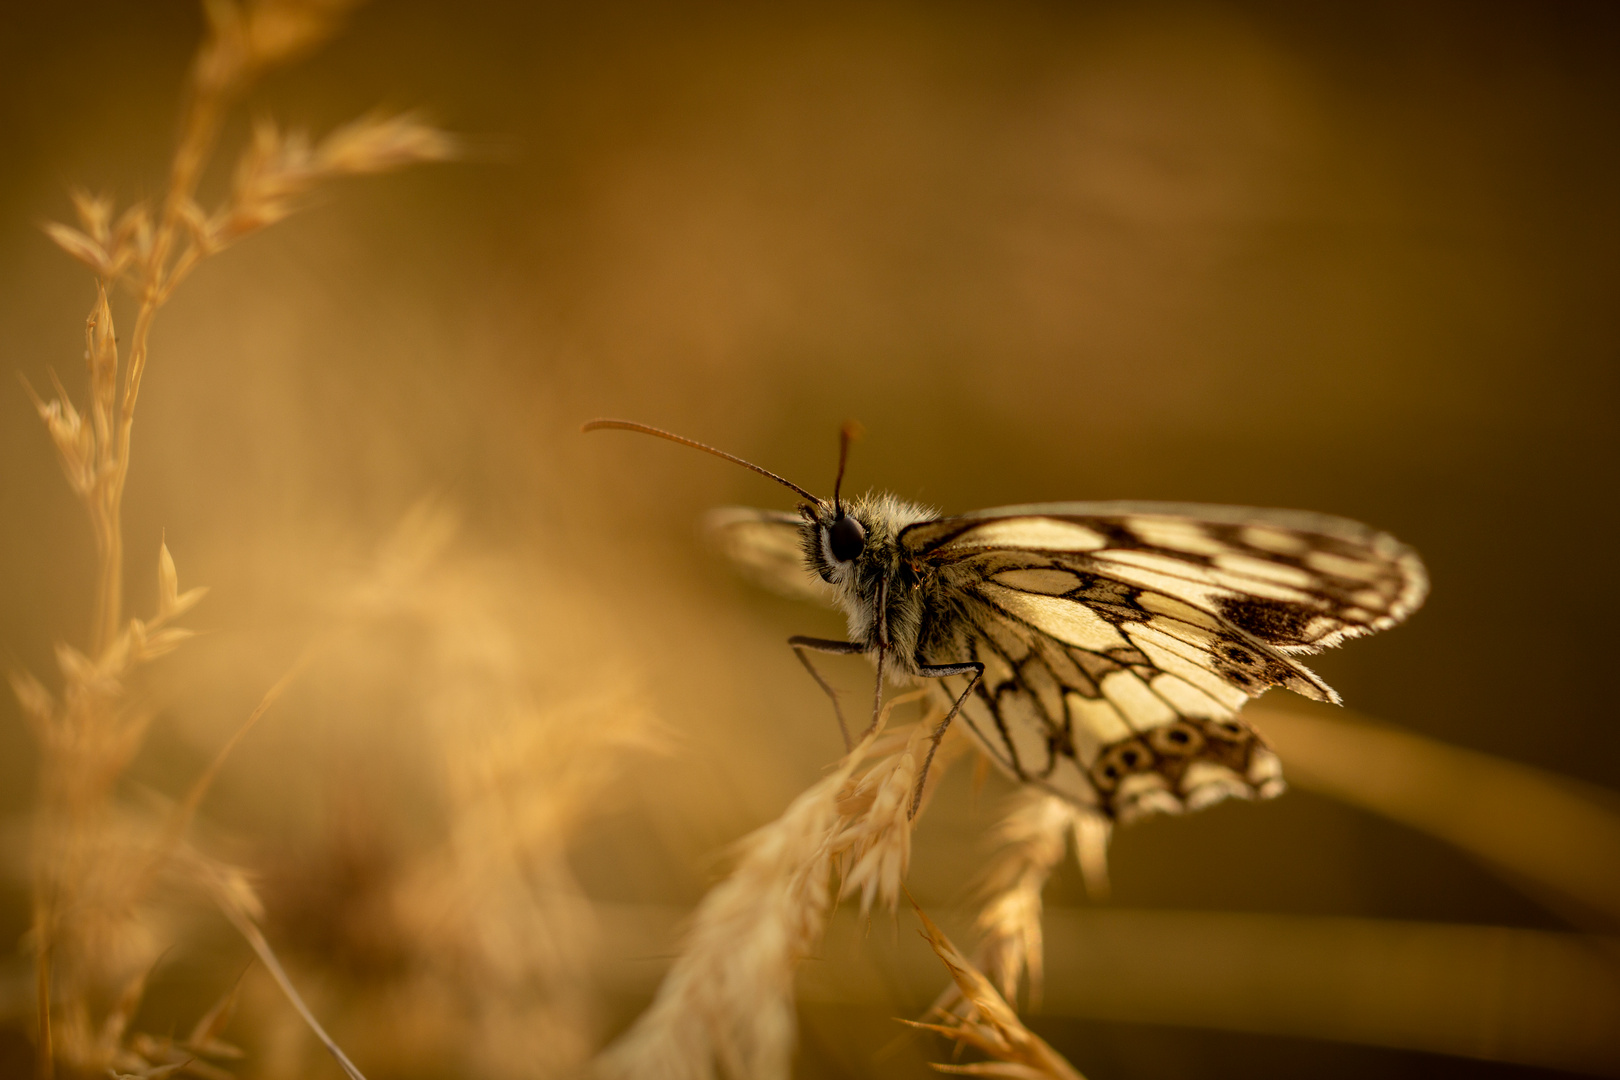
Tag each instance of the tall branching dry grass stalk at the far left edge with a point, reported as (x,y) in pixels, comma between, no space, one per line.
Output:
(93,935)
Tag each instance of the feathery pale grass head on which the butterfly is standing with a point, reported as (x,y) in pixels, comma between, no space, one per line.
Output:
(727,1006)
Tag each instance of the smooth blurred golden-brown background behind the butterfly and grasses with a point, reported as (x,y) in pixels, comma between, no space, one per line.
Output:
(1358,260)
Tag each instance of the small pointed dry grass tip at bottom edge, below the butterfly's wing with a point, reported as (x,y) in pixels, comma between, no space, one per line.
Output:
(989,1024)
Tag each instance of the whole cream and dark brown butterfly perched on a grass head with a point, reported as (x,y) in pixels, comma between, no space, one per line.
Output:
(1096,650)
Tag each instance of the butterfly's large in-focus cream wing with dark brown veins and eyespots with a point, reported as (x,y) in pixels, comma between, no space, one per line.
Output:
(1120,640)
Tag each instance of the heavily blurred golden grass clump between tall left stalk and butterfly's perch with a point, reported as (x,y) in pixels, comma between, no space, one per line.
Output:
(500,937)
